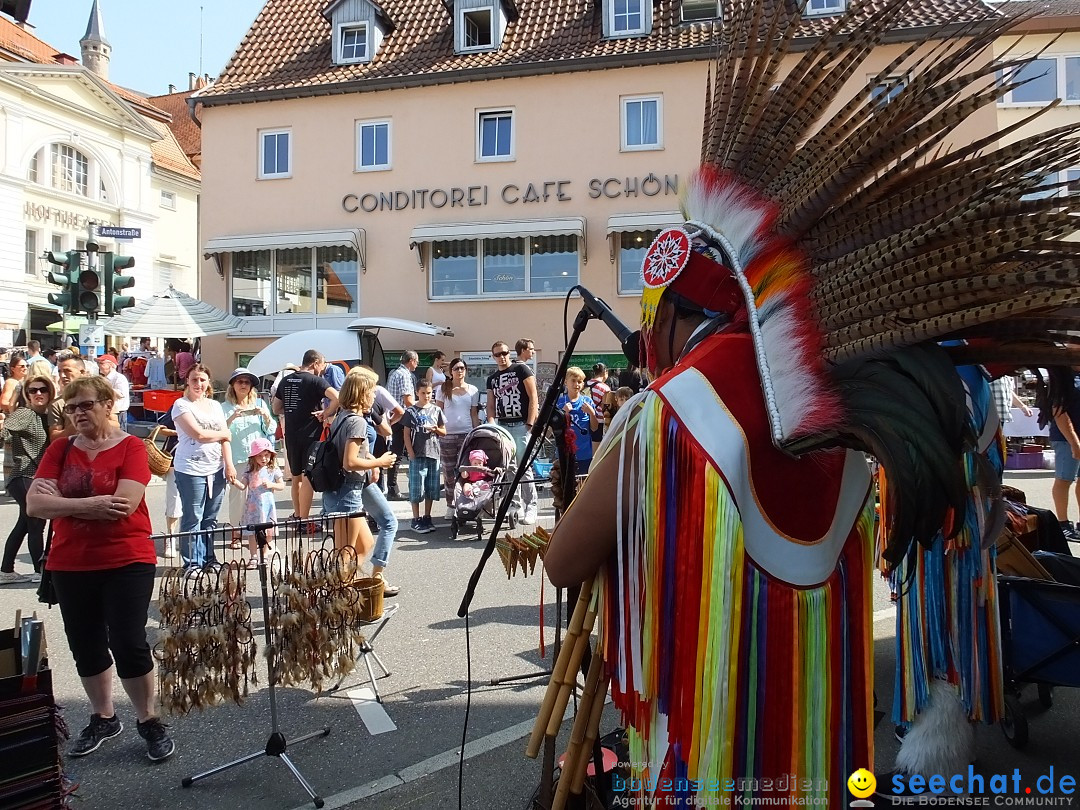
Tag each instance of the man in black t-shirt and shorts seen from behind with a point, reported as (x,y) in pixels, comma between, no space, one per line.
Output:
(300,400)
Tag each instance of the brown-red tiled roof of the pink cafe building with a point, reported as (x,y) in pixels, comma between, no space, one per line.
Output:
(288,50)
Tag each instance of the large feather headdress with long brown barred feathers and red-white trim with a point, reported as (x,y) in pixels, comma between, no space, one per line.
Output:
(862,231)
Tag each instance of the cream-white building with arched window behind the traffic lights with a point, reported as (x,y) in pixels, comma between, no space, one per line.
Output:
(77,150)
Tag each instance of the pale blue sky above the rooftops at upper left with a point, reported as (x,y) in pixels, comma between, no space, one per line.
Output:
(155,43)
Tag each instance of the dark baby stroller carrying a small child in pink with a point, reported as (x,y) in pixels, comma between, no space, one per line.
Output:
(479,488)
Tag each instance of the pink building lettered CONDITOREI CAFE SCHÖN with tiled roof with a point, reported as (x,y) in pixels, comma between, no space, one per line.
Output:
(464,164)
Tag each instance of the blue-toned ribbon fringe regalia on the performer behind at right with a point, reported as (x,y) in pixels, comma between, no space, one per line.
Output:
(948,613)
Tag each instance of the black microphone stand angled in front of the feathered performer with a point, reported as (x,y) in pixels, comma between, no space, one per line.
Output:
(580,322)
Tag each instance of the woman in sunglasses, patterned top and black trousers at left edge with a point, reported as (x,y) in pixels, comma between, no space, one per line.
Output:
(28,431)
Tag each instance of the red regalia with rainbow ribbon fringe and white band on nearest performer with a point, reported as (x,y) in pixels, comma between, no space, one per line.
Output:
(736,618)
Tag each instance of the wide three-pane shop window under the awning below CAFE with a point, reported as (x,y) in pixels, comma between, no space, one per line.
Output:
(512,267)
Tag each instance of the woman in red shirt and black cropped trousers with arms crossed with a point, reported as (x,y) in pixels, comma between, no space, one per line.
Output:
(103,561)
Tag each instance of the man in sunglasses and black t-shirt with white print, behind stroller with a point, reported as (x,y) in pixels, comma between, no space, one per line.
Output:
(512,403)
